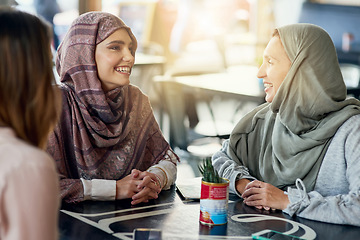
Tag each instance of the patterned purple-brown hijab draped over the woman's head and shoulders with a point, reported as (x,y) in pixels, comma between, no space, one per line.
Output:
(100,135)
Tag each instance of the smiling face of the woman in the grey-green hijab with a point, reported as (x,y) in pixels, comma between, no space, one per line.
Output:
(276,65)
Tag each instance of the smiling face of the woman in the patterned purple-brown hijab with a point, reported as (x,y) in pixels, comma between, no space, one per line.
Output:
(114,60)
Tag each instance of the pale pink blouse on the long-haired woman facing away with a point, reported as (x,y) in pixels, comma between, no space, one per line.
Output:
(29,191)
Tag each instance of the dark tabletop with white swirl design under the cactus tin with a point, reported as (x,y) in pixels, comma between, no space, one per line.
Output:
(178,219)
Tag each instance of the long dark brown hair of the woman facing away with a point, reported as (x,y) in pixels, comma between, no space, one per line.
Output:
(29,101)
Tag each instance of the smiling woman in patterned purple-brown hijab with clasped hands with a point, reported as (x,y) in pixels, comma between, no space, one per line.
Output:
(107,144)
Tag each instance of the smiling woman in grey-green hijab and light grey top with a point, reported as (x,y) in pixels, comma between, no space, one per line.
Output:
(299,152)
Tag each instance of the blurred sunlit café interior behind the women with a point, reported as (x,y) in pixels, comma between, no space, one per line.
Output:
(197,60)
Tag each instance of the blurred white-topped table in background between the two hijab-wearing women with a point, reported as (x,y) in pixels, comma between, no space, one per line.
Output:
(238,83)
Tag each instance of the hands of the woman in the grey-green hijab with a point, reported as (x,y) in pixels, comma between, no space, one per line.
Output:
(264,195)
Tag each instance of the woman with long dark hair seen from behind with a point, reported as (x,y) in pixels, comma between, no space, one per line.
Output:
(29,110)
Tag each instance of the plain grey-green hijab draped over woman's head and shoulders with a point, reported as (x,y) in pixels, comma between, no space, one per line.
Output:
(287,139)
